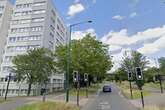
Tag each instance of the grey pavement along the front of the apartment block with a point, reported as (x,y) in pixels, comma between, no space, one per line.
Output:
(21,101)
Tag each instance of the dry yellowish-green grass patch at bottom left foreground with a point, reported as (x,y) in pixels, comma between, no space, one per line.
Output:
(49,106)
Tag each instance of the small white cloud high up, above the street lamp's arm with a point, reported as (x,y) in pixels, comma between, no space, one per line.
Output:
(75,9)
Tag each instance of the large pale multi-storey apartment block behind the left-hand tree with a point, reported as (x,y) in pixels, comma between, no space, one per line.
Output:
(34,24)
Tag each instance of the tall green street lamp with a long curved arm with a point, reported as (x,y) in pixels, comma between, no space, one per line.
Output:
(68,56)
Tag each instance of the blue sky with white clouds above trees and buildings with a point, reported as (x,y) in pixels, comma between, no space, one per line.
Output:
(122,24)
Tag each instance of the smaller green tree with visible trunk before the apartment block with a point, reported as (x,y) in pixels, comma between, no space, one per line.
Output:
(34,67)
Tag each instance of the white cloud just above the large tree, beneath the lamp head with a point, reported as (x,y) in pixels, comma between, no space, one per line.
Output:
(80,34)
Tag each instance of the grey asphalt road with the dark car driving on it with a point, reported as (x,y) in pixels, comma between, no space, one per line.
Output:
(109,101)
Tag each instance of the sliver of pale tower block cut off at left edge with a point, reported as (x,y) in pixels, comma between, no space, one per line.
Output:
(5,16)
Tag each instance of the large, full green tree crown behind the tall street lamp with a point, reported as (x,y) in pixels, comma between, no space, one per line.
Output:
(88,55)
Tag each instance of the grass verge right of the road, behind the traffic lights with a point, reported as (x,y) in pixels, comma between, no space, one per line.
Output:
(135,91)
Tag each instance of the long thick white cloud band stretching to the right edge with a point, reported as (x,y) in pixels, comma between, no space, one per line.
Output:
(122,37)
